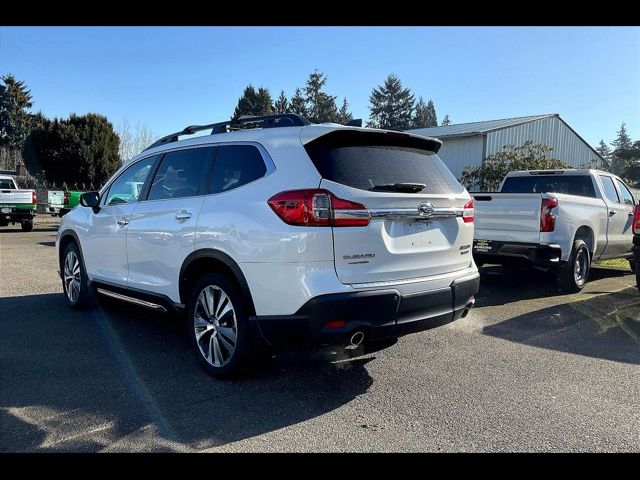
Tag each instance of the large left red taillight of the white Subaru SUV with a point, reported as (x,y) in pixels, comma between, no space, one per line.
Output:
(318,208)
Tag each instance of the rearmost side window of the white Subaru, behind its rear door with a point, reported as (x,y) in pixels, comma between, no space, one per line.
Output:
(236,165)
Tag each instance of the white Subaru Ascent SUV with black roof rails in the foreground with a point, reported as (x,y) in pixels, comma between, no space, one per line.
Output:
(284,232)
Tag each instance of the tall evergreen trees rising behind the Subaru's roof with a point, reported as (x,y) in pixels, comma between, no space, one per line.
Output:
(391,105)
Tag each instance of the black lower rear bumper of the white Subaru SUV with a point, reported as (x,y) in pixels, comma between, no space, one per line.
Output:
(379,314)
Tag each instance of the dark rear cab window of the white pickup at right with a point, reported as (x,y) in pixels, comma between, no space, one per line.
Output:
(581,185)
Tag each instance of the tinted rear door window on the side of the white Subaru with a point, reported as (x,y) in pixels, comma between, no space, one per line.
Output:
(181,174)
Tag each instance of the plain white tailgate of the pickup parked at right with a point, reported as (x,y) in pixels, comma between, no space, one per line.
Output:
(508,217)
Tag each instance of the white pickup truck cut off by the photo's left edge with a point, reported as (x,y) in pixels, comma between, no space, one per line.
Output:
(16,206)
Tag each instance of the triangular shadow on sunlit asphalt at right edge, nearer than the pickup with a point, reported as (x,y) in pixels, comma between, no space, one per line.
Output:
(604,326)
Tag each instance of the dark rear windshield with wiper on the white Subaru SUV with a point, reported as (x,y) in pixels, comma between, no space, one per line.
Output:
(370,161)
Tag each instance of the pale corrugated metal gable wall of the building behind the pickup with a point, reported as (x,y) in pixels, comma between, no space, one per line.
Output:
(567,146)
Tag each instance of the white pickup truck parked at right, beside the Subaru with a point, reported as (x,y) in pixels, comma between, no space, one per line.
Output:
(557,219)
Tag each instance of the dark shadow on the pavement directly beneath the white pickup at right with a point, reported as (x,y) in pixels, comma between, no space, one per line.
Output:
(500,285)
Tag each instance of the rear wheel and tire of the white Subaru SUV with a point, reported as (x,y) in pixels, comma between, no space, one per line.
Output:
(221,342)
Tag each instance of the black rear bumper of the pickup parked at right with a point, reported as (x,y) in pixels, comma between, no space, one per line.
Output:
(502,252)
